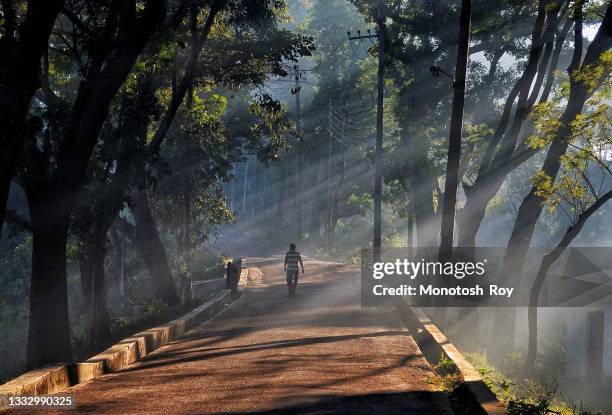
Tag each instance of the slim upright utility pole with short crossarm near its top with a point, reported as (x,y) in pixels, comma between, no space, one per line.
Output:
(378,152)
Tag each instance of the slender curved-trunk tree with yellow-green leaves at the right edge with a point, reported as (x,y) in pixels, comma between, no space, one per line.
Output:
(580,191)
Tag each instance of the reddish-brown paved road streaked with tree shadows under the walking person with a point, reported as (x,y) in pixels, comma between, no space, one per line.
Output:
(318,352)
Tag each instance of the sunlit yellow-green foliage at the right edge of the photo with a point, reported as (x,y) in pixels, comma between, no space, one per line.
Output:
(584,168)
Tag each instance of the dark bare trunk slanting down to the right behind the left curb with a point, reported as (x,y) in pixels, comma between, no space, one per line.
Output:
(151,249)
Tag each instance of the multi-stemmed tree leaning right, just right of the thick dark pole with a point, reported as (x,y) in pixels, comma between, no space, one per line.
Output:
(508,149)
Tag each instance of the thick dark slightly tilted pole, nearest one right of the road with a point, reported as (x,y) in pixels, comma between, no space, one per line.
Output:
(454,143)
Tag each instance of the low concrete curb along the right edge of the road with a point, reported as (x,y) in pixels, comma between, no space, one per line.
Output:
(429,337)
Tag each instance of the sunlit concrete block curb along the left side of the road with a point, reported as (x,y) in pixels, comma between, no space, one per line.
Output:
(58,378)
